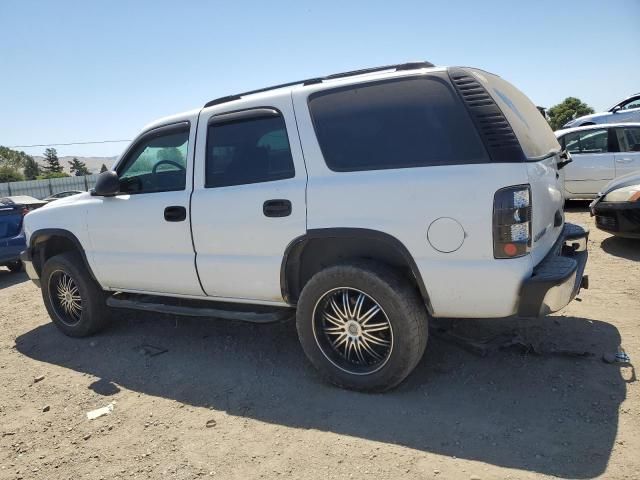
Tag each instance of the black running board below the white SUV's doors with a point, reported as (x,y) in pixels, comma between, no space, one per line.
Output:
(200,308)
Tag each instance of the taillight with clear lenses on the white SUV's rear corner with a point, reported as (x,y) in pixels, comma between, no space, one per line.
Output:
(512,222)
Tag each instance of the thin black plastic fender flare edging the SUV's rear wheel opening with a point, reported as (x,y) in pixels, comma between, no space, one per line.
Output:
(290,267)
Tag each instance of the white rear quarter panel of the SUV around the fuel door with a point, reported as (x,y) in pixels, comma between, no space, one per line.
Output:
(468,282)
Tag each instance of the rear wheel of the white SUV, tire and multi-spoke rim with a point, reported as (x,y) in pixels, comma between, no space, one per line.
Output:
(400,346)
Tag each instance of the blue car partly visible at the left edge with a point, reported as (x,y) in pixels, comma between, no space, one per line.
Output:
(12,239)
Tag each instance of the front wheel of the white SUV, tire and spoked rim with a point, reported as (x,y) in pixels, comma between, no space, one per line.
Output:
(66,274)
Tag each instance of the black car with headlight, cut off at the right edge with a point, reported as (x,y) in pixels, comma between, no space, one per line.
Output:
(617,207)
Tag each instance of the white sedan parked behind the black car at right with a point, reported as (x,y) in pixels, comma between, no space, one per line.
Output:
(600,153)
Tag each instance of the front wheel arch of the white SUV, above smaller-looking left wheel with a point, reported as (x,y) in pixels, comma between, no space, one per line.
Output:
(47,242)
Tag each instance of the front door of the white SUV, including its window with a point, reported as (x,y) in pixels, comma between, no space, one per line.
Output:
(140,239)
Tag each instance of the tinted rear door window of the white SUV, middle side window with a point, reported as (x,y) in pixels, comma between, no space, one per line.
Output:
(248,151)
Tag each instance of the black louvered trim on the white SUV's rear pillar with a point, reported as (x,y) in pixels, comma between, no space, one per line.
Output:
(493,127)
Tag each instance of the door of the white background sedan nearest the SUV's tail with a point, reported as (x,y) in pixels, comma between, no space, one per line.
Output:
(593,161)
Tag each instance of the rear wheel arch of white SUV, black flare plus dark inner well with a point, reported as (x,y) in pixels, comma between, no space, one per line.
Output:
(321,248)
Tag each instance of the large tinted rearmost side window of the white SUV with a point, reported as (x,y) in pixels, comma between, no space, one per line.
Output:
(400,123)
